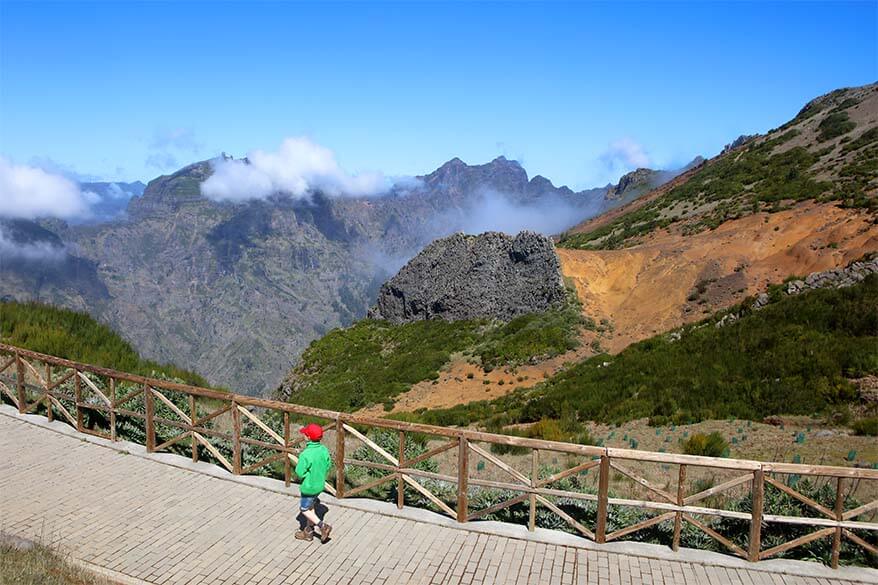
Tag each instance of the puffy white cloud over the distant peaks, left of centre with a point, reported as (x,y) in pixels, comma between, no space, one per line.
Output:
(296,168)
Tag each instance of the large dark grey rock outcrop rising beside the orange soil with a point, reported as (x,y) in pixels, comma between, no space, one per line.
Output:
(489,276)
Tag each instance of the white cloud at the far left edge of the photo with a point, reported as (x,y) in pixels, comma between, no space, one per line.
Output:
(30,192)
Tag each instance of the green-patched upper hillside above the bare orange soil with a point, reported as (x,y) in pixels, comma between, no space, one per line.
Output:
(829,152)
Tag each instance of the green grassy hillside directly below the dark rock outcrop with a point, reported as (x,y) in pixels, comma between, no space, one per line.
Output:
(372,362)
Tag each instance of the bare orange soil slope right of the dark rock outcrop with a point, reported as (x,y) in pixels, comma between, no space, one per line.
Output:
(646,289)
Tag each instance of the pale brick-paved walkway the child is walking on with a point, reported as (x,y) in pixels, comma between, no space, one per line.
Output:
(144,519)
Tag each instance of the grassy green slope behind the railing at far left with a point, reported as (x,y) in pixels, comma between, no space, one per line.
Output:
(77,336)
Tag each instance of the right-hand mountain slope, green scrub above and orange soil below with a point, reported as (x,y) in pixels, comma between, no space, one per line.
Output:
(793,201)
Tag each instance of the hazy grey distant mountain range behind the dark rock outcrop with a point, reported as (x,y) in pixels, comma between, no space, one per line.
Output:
(236,291)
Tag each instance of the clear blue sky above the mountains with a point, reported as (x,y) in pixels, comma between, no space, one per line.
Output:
(576,92)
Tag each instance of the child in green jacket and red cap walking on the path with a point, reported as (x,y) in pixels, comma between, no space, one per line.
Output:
(314,464)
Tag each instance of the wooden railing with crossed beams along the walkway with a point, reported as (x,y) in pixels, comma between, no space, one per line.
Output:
(264,426)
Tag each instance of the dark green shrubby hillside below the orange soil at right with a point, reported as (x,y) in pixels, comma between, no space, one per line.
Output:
(795,356)
